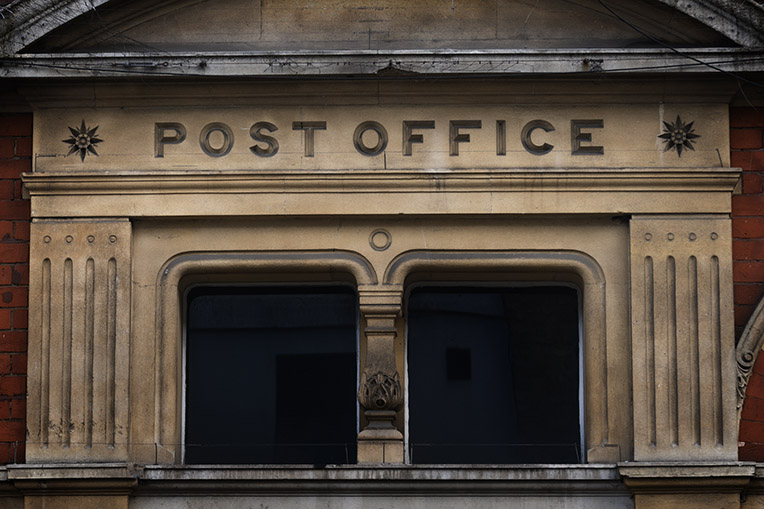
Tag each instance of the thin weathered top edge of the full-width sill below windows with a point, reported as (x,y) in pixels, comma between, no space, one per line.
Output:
(381,472)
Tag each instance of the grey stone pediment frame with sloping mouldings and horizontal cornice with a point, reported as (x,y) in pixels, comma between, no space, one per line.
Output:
(25,22)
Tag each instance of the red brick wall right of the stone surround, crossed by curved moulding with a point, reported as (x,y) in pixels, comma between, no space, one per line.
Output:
(747,143)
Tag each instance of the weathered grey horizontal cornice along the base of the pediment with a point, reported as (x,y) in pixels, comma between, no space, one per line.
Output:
(402,63)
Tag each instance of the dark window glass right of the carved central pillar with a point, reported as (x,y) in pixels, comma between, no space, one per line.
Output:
(493,375)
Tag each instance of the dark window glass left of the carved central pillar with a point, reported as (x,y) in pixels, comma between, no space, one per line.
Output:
(271,375)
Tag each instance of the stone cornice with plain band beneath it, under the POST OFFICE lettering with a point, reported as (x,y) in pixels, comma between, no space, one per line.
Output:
(602,191)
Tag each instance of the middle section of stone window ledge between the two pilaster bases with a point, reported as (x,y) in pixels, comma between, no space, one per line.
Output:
(383,480)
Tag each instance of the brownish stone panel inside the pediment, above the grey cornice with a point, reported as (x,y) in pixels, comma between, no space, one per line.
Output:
(383,25)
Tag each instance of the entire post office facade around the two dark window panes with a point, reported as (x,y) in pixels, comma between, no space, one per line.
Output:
(479,165)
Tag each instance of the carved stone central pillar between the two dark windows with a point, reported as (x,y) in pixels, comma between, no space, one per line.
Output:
(380,392)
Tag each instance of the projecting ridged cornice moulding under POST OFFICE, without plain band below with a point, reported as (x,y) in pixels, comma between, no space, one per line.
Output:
(454,181)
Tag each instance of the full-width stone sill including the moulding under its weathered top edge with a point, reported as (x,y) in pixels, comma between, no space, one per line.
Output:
(540,479)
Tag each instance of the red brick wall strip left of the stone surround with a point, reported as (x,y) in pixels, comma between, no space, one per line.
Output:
(15,158)
